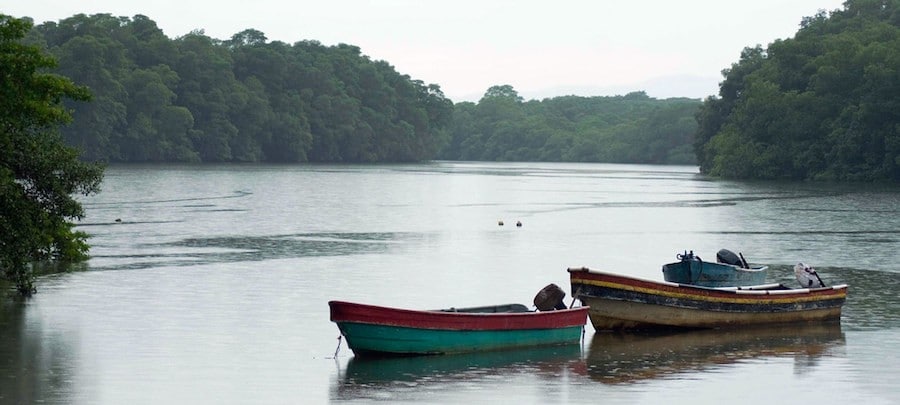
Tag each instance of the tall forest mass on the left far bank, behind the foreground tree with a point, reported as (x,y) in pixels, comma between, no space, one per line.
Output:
(199,99)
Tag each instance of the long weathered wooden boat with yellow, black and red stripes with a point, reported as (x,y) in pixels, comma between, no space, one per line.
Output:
(621,302)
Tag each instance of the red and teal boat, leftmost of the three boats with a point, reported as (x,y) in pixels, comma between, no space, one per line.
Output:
(377,330)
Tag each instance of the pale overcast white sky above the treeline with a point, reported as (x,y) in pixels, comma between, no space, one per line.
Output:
(542,48)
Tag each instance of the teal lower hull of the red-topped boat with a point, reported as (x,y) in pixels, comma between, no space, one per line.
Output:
(393,339)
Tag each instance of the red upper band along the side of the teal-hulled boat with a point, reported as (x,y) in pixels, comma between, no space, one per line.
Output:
(342,311)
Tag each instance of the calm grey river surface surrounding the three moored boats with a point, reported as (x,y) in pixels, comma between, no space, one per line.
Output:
(209,284)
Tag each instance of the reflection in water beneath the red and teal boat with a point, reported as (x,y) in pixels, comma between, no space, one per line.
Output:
(370,378)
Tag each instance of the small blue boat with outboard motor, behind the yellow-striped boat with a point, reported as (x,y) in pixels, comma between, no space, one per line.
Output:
(728,270)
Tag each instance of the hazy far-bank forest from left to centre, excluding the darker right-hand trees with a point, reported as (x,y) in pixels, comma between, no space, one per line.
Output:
(247,99)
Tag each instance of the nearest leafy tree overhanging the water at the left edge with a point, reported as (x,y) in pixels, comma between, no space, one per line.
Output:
(38,172)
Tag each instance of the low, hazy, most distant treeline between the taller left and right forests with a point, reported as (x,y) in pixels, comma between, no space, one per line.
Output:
(623,129)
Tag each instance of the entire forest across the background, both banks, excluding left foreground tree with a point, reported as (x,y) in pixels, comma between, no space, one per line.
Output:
(822,105)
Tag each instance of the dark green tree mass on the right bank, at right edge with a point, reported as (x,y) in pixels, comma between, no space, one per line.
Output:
(822,105)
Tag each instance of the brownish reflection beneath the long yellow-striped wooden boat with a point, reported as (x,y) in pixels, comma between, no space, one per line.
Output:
(616,358)
